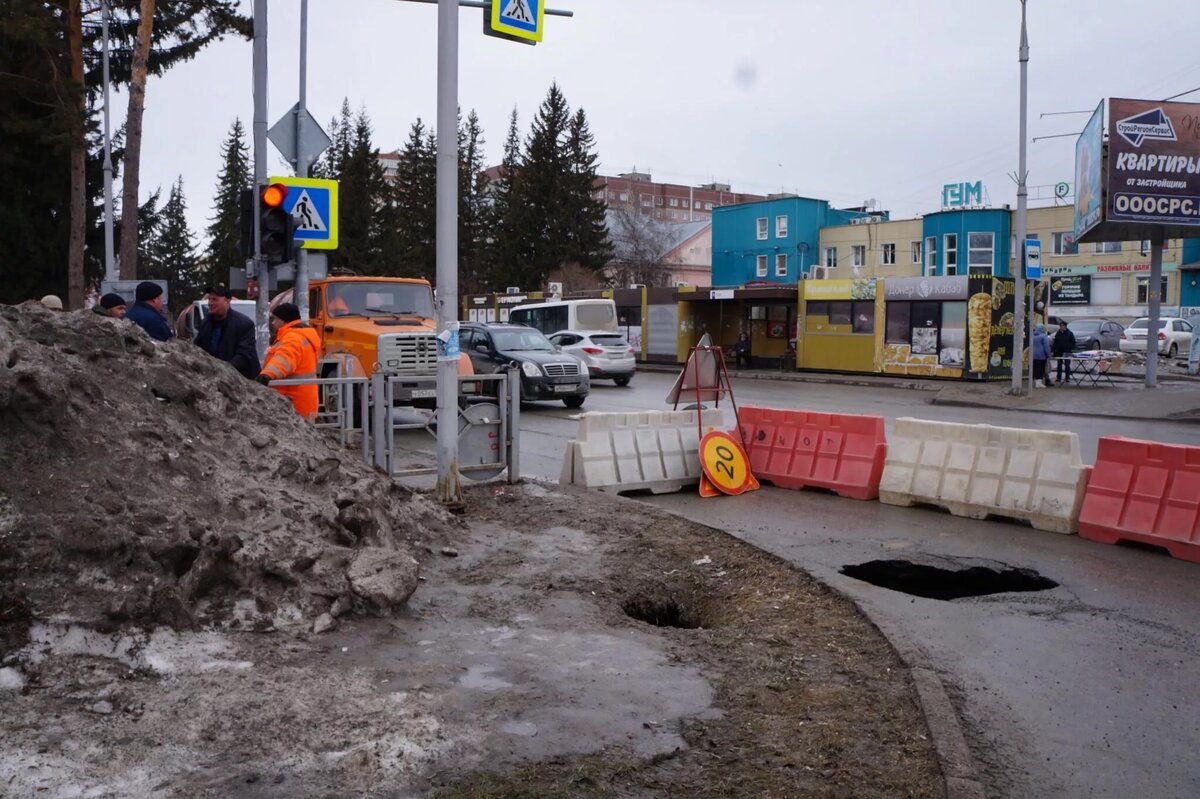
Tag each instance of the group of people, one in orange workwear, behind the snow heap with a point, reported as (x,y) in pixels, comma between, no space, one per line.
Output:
(230,337)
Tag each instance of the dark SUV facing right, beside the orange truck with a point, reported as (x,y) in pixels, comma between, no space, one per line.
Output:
(547,374)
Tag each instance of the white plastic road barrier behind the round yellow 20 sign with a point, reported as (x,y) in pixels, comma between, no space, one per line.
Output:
(649,450)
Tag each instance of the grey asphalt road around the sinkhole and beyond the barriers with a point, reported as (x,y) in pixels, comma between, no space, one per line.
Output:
(1083,690)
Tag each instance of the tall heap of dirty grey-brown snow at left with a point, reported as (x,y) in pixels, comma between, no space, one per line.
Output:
(148,485)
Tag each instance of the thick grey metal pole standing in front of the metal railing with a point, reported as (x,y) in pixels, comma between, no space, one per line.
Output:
(449,488)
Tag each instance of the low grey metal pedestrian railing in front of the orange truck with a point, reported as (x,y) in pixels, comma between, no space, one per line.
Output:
(489,432)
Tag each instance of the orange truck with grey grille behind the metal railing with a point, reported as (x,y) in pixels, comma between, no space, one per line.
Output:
(379,325)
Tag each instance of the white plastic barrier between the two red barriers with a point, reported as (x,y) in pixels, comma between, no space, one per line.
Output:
(980,471)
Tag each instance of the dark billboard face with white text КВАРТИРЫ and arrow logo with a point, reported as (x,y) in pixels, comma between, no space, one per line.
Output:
(1154,163)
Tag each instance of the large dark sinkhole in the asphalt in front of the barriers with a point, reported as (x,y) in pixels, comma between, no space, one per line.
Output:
(947,584)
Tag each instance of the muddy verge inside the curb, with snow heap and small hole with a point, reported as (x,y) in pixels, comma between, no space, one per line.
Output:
(557,645)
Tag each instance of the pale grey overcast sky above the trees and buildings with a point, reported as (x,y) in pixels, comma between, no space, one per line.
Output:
(842,101)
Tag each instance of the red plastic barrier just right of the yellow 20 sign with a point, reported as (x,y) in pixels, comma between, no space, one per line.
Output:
(795,449)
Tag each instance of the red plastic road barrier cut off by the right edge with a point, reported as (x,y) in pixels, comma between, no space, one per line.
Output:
(1148,492)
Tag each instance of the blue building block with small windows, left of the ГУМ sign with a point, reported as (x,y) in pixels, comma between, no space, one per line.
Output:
(772,242)
